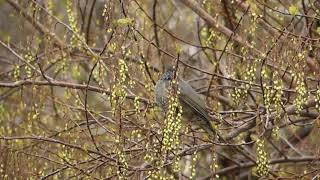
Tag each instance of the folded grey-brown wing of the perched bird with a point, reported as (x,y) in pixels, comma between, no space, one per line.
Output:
(189,96)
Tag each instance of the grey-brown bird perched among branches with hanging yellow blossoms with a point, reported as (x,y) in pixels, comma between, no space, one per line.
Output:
(193,106)
